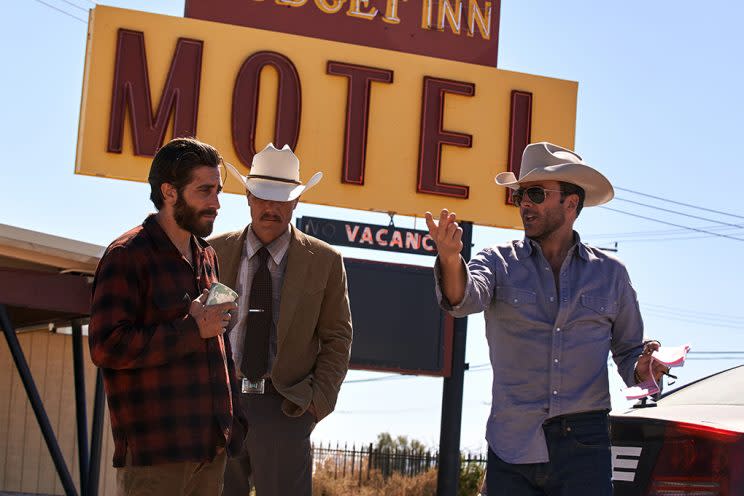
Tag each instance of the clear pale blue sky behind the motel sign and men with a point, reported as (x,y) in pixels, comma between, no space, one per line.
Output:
(659,113)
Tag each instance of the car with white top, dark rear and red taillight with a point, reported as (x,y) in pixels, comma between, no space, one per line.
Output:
(690,443)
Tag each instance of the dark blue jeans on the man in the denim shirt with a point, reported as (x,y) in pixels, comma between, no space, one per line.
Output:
(580,463)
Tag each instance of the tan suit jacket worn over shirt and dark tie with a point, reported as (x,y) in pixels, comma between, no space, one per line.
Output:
(314,329)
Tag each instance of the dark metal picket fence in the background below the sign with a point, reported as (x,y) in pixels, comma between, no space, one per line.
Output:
(360,462)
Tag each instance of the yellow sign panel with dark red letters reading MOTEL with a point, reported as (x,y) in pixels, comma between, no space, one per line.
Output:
(391,131)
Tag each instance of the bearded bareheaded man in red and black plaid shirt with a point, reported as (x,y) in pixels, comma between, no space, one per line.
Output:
(168,371)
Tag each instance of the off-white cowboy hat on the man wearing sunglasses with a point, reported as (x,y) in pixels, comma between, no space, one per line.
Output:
(548,162)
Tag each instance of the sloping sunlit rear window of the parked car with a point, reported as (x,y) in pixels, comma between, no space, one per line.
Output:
(724,388)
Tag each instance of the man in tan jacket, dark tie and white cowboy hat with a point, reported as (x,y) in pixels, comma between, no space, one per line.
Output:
(291,337)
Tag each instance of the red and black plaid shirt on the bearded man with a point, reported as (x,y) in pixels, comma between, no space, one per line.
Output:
(169,390)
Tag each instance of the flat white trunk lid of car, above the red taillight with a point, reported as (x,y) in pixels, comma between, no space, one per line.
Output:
(729,417)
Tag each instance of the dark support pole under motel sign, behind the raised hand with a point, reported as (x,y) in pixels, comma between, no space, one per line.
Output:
(448,477)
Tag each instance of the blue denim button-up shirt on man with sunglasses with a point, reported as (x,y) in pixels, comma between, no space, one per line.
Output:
(548,346)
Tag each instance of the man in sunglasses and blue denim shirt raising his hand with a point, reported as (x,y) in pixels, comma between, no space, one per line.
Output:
(554,308)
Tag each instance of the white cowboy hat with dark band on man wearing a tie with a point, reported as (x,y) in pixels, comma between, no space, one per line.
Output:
(275,175)
